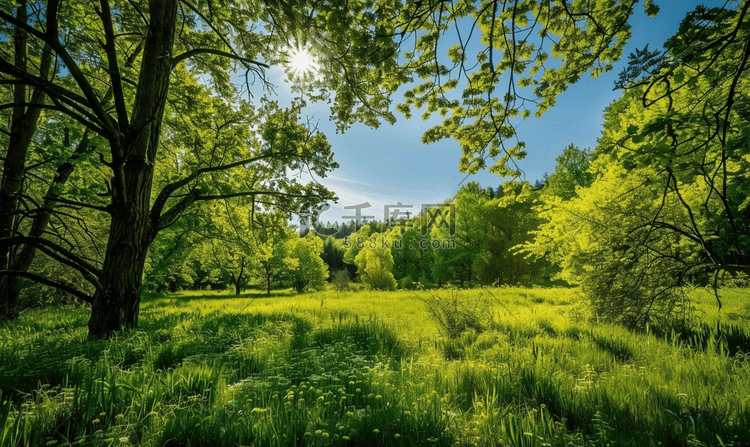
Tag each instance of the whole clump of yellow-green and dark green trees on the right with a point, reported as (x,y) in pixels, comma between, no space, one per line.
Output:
(668,207)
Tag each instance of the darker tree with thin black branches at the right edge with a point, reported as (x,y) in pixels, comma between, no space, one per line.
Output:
(687,117)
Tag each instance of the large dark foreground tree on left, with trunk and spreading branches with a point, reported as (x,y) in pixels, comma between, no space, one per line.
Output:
(165,34)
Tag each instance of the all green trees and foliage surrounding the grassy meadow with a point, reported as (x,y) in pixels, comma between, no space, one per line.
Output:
(133,159)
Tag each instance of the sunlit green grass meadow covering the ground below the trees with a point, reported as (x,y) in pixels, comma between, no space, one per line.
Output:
(485,367)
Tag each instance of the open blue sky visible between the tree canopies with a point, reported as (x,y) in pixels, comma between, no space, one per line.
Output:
(390,164)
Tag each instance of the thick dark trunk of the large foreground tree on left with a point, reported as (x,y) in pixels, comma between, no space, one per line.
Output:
(116,305)
